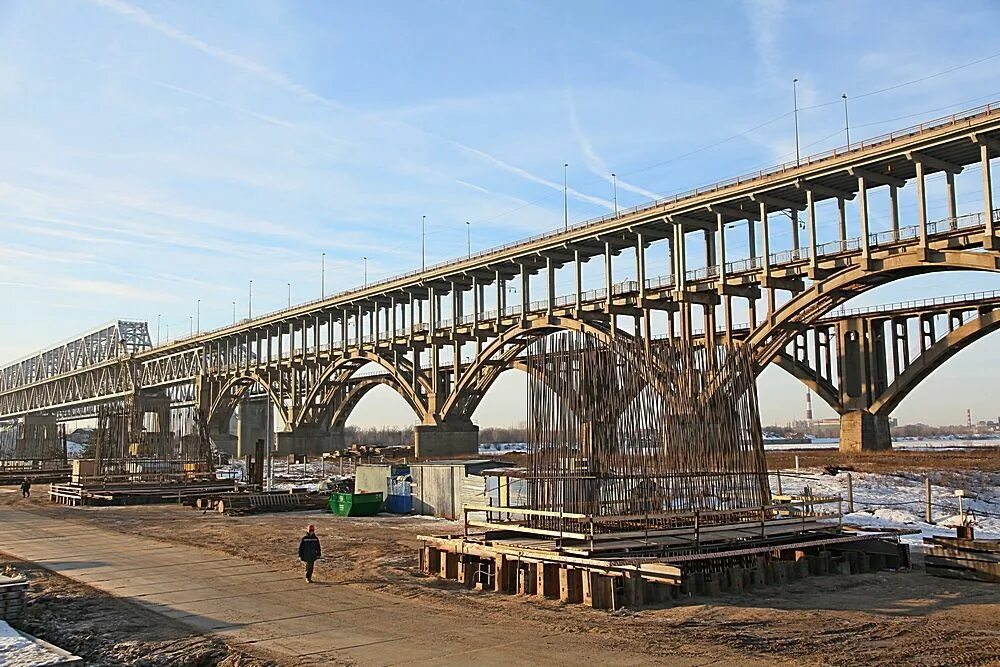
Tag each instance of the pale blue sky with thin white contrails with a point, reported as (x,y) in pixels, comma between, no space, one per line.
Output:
(156,153)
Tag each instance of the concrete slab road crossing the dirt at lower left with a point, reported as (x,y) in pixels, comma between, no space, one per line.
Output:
(249,604)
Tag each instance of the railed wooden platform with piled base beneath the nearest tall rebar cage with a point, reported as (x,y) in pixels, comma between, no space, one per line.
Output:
(638,560)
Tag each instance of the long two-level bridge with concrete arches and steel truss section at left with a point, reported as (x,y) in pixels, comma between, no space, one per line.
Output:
(441,336)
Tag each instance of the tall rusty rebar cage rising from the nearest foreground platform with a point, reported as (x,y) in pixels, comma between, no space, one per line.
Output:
(650,433)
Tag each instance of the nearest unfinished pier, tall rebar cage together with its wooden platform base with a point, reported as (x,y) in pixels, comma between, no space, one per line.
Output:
(645,480)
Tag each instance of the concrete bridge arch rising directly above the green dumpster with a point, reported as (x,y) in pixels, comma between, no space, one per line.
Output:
(335,389)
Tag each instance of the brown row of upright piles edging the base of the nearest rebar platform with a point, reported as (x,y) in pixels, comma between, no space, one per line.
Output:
(496,565)
